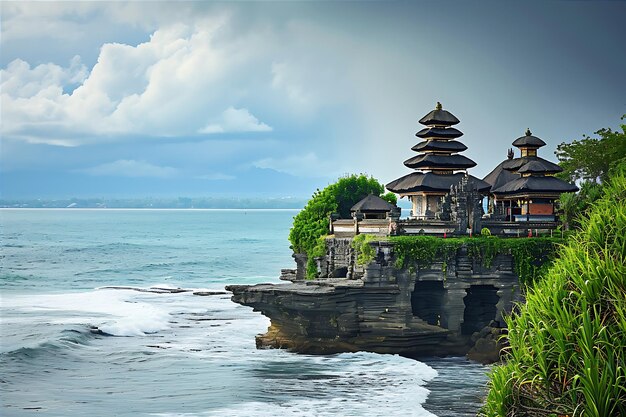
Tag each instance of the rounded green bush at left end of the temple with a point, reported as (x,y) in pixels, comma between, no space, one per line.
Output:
(313,221)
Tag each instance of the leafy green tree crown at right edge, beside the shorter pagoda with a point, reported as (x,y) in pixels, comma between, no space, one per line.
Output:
(590,159)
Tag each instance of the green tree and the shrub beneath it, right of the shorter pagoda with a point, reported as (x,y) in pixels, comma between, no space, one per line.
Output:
(588,161)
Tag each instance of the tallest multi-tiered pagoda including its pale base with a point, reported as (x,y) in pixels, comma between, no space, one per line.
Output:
(439,166)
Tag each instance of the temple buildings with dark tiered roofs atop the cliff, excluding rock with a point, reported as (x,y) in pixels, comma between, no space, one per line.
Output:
(445,200)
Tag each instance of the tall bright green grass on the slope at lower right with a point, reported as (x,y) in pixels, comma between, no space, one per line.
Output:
(567,351)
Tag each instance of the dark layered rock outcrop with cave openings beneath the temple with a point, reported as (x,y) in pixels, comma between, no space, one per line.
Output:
(440,310)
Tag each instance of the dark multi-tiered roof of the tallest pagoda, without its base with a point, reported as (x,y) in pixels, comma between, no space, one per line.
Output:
(438,161)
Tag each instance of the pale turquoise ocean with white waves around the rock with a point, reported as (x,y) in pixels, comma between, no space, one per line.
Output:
(89,325)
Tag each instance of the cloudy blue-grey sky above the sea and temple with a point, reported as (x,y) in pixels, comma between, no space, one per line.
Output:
(140,99)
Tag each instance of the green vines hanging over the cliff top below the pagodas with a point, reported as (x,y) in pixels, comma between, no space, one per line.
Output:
(531,255)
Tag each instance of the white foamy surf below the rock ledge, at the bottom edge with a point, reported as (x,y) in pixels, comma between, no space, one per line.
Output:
(351,384)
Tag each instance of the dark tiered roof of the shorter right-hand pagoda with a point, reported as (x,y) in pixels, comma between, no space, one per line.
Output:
(529,174)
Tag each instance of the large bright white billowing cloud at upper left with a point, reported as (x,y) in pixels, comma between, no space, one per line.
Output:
(166,87)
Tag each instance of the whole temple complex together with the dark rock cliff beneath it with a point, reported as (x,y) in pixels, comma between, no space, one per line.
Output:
(367,295)
